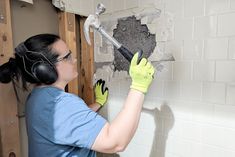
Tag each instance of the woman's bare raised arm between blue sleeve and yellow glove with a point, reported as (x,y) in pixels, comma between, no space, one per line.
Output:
(115,136)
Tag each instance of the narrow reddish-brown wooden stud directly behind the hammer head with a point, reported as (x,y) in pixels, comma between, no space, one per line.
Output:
(87,66)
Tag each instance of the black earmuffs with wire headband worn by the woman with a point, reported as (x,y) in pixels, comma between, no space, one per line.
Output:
(42,70)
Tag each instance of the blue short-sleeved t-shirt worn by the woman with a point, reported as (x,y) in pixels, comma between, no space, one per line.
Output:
(60,124)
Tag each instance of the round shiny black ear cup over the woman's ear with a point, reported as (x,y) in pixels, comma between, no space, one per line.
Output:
(44,72)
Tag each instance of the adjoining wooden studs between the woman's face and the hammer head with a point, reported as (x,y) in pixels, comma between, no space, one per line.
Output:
(71,31)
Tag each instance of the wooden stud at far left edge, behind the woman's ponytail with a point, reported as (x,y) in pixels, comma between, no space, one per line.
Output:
(9,124)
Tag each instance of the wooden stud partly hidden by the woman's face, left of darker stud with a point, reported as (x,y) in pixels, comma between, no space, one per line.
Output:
(68,34)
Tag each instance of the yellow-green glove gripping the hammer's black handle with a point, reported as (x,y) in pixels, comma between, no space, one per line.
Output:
(141,74)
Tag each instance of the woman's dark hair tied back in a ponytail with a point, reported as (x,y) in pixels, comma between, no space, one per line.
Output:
(40,45)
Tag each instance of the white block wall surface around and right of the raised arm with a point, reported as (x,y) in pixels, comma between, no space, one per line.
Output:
(190,108)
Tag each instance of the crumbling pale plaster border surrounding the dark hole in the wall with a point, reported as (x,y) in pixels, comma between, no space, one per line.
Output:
(159,24)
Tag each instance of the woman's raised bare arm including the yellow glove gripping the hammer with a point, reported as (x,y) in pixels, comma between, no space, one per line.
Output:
(116,135)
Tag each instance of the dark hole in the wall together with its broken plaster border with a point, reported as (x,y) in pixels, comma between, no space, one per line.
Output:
(144,29)
